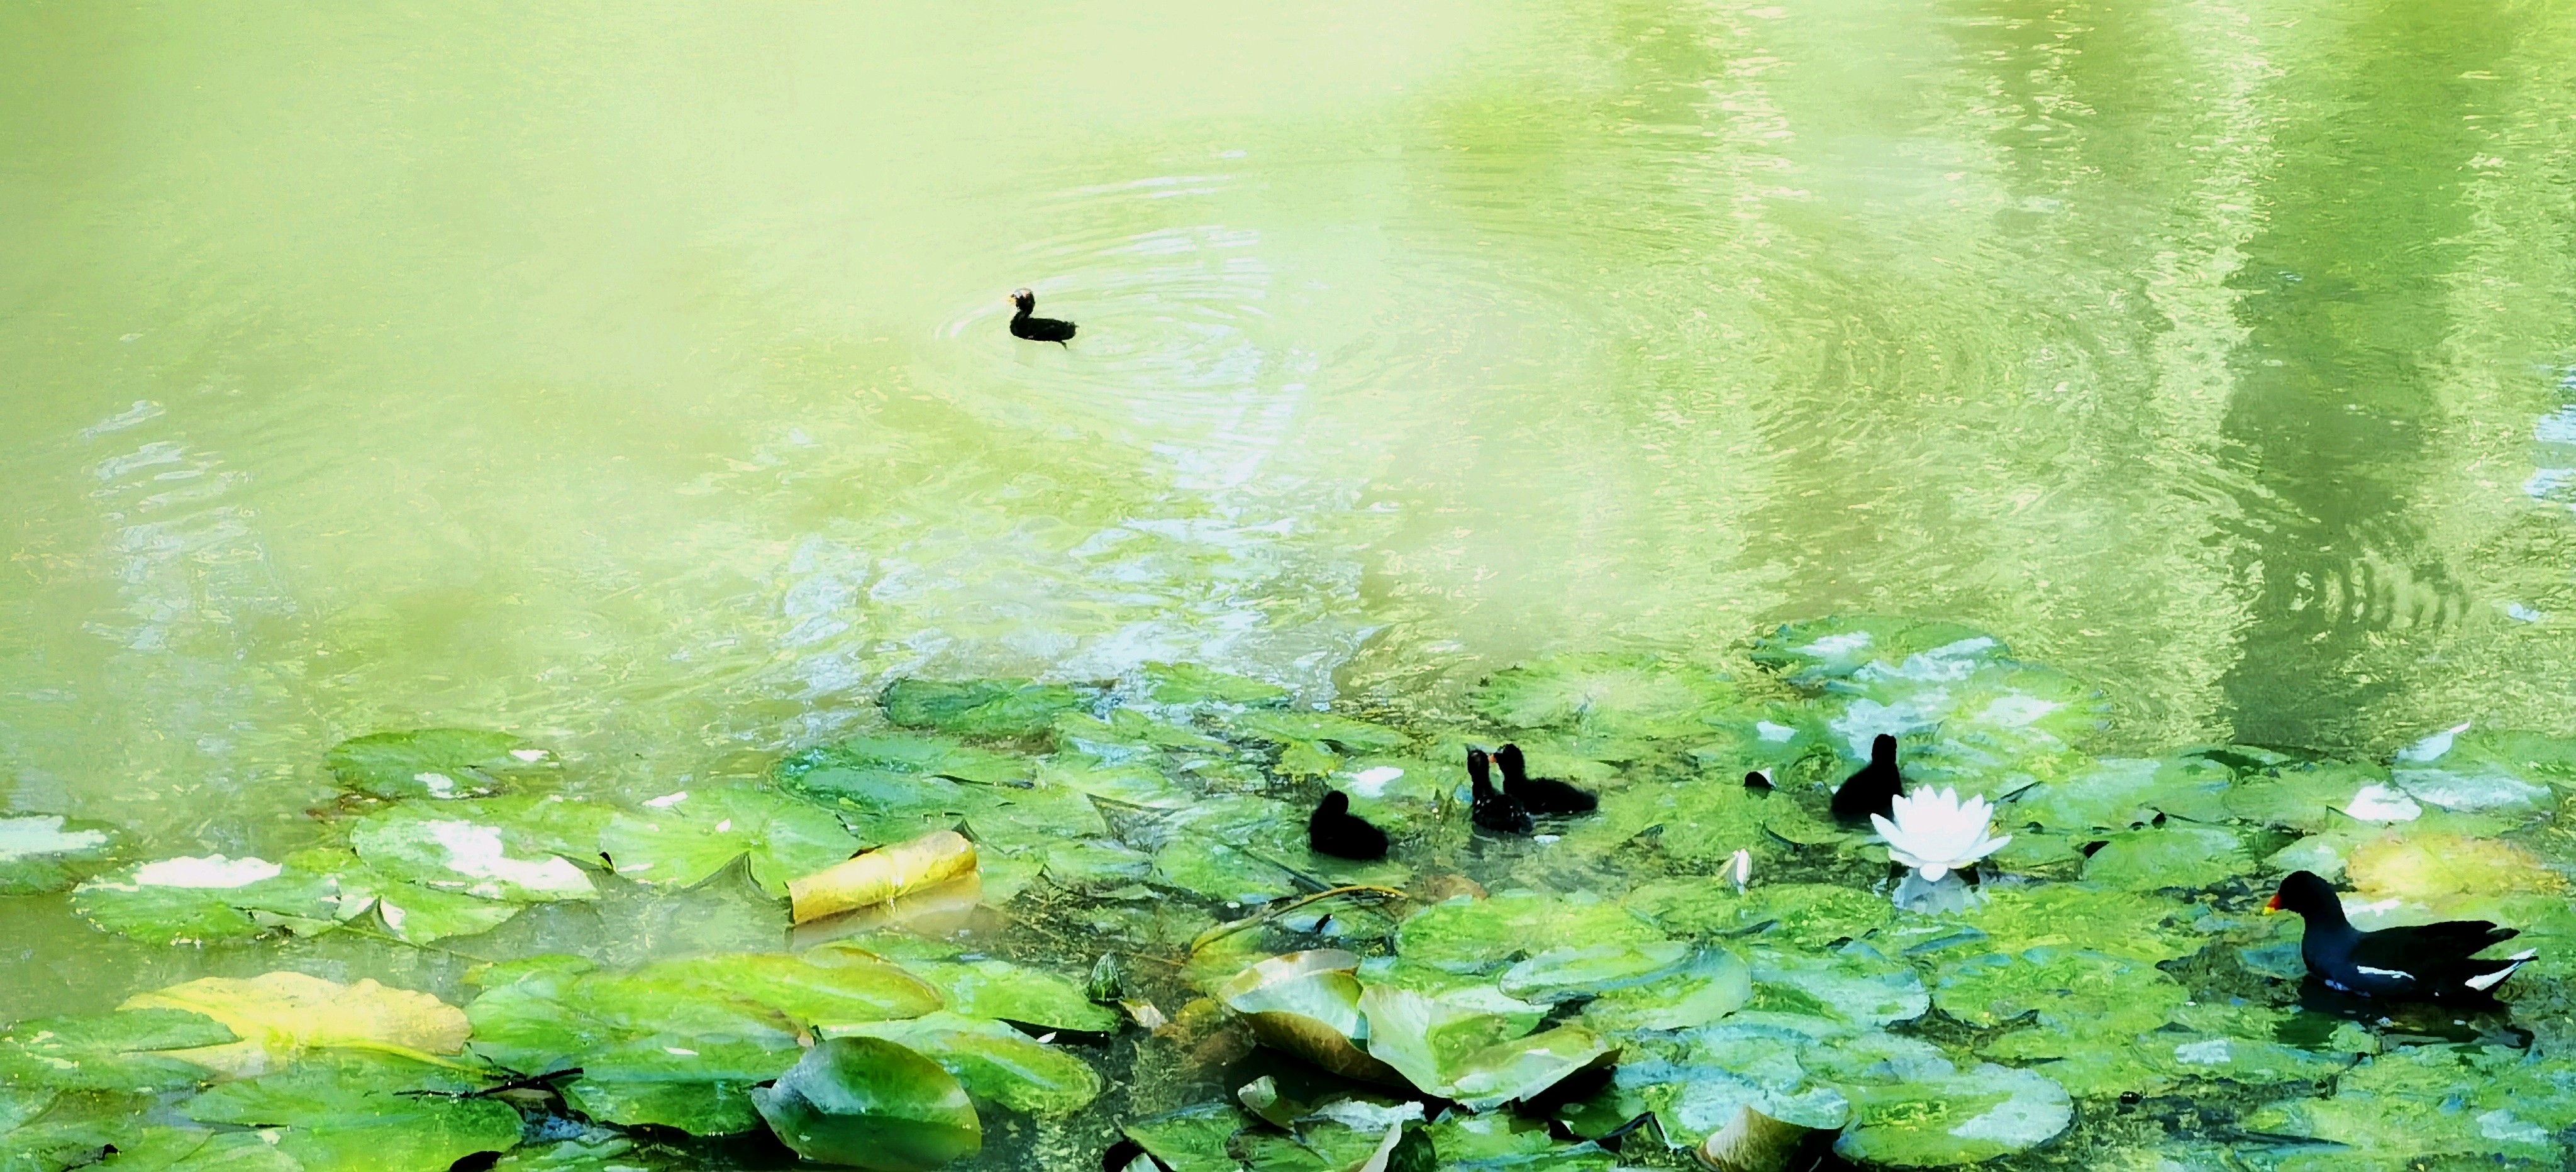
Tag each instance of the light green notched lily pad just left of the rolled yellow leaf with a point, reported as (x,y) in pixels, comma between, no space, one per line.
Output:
(689,838)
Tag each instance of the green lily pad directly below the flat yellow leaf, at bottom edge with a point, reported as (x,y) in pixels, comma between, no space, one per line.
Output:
(365,1114)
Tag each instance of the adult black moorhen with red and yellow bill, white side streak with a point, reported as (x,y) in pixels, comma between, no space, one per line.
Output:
(2412,965)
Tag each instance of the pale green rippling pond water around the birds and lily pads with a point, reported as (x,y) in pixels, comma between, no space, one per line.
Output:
(635,380)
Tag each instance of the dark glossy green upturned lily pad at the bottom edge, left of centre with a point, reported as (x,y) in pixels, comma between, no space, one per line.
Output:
(872,1104)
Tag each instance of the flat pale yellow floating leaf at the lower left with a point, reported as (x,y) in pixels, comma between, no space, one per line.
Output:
(282,1016)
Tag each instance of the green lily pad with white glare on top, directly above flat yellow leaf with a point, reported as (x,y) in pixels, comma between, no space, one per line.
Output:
(207,900)
